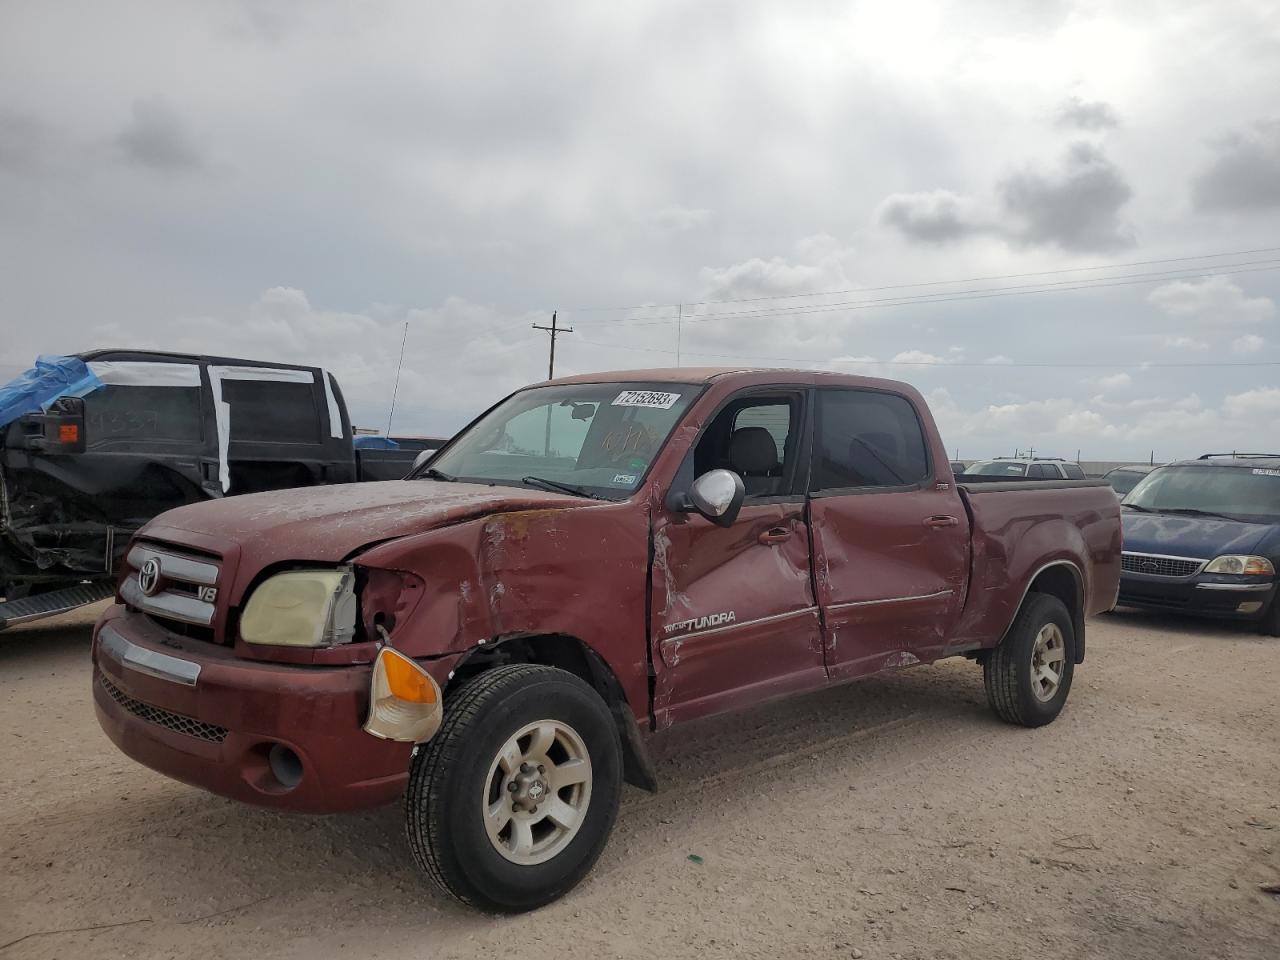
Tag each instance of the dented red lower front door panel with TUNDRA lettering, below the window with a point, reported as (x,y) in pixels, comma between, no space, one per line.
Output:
(734,618)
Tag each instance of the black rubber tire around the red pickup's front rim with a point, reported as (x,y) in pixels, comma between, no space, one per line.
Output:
(450,778)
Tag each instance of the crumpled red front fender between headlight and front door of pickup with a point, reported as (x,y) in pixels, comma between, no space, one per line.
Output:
(578,572)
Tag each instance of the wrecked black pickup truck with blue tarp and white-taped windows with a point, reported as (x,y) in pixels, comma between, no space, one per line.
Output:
(94,446)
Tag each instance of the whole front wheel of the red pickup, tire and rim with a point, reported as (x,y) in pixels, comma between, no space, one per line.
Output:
(511,803)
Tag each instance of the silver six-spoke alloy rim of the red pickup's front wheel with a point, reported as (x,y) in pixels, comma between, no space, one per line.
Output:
(538,792)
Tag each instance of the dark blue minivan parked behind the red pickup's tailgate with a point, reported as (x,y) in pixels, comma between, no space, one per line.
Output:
(1204,537)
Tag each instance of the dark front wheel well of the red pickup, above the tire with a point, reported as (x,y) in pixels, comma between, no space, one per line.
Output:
(573,656)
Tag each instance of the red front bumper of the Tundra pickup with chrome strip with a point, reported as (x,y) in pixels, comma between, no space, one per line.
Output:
(275,735)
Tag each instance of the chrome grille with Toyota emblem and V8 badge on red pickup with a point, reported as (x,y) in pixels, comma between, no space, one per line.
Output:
(176,589)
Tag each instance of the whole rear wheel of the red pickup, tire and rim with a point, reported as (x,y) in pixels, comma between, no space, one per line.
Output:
(1028,676)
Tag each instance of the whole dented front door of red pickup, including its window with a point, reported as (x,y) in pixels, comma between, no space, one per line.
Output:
(734,614)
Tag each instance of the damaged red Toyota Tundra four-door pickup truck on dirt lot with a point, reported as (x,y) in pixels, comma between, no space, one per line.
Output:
(591,561)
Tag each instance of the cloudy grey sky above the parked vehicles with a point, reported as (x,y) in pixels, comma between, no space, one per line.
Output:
(1060,221)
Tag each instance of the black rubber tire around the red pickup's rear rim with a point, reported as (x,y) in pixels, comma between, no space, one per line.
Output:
(1008,669)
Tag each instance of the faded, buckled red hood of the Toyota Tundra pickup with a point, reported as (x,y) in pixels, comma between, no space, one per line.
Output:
(330,524)
